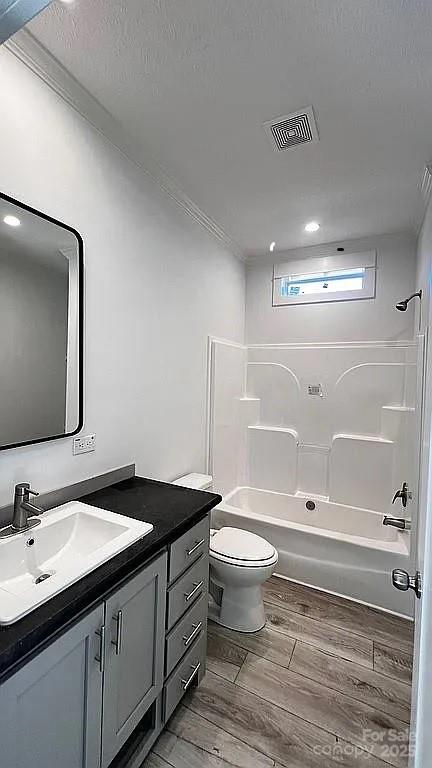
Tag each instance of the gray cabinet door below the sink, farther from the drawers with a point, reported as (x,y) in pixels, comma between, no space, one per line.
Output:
(50,710)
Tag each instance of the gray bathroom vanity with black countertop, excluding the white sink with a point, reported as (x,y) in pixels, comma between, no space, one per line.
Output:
(89,678)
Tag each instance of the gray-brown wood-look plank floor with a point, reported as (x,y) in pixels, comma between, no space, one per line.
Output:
(325,683)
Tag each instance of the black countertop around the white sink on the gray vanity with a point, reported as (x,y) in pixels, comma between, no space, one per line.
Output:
(170,508)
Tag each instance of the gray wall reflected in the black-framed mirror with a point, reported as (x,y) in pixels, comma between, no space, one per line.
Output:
(33,322)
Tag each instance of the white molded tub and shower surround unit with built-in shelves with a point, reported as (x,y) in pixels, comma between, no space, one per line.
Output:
(335,423)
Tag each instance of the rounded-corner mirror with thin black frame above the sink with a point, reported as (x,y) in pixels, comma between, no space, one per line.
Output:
(41,277)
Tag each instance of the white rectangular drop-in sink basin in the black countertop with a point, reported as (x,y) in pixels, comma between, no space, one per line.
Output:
(71,541)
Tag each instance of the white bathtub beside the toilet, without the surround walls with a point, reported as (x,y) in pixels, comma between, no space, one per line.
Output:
(334,547)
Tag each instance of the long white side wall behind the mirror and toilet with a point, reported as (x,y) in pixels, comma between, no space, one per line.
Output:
(156,286)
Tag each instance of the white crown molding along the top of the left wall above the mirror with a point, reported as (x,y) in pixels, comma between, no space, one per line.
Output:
(43,64)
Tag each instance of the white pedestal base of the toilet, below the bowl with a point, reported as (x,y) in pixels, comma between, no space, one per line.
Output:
(241,609)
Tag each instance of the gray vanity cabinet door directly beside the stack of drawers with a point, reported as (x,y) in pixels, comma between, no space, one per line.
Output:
(134,617)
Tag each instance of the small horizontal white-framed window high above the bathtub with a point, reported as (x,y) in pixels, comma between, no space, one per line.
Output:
(344,284)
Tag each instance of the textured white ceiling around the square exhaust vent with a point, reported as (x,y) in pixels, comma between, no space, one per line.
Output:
(193,81)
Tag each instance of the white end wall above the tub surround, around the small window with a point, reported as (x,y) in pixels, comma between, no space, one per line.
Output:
(366,320)
